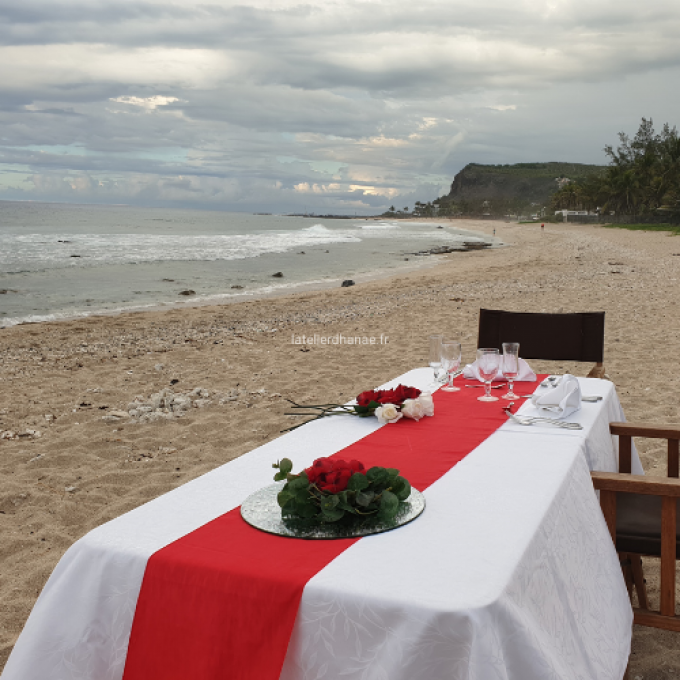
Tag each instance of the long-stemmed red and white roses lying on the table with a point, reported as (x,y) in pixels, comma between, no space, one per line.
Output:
(388,406)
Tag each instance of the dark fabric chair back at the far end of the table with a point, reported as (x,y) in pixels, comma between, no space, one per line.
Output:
(566,337)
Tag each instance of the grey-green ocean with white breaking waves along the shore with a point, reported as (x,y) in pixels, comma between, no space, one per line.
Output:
(60,261)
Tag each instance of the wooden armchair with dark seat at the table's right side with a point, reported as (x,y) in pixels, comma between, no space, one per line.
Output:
(641,513)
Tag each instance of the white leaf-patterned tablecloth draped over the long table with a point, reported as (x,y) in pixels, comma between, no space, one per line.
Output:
(509,573)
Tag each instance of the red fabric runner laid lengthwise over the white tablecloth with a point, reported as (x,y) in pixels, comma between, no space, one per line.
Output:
(220,603)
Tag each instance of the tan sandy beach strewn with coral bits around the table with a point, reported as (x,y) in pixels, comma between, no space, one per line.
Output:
(72,458)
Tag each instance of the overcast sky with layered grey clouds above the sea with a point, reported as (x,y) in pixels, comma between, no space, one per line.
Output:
(326,107)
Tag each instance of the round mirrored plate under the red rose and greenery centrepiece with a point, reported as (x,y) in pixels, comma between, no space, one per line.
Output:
(262,511)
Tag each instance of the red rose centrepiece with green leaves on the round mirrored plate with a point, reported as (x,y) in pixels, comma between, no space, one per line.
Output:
(334,490)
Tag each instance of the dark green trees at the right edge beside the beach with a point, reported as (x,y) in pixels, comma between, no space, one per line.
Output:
(642,178)
